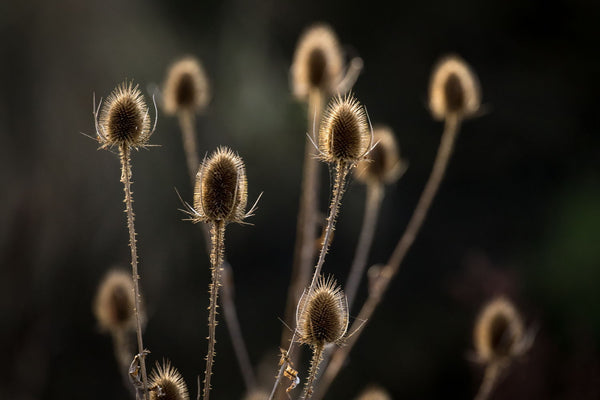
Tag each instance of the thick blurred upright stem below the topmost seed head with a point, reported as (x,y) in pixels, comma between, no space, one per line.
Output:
(306,231)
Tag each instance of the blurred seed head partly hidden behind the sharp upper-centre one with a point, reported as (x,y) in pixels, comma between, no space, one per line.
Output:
(383,164)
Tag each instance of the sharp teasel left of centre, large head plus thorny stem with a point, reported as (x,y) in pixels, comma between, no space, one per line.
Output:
(220,197)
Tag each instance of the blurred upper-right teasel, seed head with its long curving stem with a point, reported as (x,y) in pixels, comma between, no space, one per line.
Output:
(454,96)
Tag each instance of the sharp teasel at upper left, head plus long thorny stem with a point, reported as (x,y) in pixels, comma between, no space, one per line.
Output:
(123,122)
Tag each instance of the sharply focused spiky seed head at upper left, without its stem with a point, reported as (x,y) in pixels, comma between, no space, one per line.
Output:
(124,118)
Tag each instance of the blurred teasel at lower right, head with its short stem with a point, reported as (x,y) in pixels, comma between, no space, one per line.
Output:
(499,338)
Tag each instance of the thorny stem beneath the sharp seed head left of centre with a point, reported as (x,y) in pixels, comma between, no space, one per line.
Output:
(216,260)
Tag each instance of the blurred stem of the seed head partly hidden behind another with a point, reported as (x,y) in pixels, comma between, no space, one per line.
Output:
(375,192)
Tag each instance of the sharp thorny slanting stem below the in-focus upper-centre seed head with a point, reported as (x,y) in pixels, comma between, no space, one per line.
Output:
(341,171)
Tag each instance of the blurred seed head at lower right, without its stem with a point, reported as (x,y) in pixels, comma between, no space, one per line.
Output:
(498,331)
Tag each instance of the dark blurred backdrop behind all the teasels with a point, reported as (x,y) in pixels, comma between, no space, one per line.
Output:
(518,213)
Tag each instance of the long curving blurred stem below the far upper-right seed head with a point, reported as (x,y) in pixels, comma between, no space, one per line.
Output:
(451,128)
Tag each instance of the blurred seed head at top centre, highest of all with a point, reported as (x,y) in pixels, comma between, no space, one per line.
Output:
(318,62)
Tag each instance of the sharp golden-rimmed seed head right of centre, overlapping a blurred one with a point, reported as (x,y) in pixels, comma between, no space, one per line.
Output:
(344,135)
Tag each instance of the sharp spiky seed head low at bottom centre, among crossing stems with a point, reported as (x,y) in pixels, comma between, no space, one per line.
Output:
(322,315)
